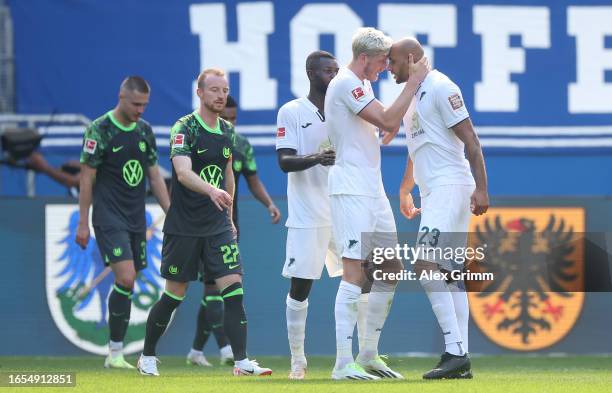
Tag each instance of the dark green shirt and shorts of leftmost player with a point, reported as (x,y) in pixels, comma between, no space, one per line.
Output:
(121,156)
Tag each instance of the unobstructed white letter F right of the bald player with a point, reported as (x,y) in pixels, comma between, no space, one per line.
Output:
(496,24)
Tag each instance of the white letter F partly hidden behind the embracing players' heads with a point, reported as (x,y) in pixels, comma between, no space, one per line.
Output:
(437,22)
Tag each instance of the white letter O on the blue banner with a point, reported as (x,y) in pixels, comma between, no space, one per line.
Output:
(305,29)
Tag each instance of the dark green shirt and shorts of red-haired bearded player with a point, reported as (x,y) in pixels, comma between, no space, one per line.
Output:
(198,237)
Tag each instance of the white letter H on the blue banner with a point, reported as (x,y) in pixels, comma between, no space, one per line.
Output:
(248,55)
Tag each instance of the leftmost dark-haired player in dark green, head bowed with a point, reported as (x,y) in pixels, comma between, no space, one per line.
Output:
(118,150)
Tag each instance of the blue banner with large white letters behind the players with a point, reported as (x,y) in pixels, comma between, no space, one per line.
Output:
(533,74)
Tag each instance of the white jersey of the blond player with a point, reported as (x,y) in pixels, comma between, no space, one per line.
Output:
(357,167)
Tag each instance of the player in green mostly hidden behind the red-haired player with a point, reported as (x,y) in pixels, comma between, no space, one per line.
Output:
(210,314)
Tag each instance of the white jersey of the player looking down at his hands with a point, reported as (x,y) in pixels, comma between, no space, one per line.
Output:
(302,127)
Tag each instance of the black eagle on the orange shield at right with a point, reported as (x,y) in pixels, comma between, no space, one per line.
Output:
(528,265)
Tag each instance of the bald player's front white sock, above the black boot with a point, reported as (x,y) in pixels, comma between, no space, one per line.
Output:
(442,305)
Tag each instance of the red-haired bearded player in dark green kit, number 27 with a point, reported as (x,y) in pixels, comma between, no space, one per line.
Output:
(198,227)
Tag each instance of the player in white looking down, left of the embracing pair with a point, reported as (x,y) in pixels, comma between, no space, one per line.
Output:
(304,153)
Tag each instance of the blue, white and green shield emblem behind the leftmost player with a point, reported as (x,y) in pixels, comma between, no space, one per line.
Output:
(78,285)
